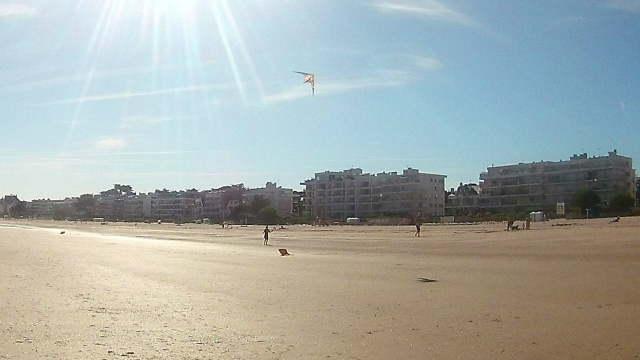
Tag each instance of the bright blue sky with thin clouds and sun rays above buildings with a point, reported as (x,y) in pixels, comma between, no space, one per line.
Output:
(183,94)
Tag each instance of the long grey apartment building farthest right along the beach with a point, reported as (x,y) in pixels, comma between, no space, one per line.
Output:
(538,185)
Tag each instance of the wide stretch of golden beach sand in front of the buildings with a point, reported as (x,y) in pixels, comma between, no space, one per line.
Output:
(151,291)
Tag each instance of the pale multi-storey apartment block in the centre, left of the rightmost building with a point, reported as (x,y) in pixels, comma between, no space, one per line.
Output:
(351,193)
